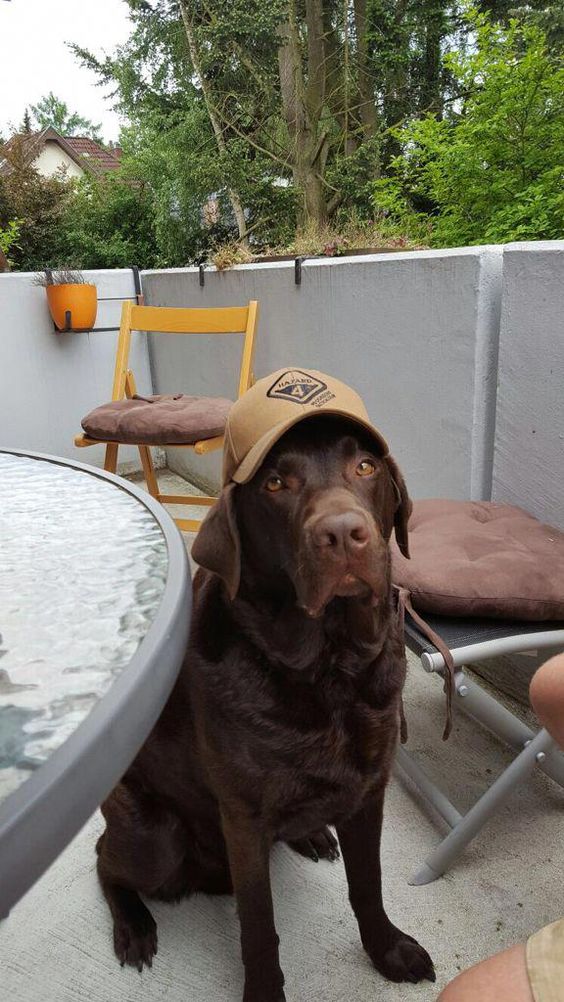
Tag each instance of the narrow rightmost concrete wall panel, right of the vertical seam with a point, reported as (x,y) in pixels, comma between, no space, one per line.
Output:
(529,445)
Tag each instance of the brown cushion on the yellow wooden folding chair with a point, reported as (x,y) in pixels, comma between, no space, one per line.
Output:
(159,420)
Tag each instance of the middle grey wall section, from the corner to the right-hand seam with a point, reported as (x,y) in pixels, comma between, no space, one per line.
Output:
(415,334)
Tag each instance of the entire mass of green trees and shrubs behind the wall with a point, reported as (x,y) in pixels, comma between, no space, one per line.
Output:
(228,106)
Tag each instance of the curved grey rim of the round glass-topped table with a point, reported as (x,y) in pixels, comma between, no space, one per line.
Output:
(48,810)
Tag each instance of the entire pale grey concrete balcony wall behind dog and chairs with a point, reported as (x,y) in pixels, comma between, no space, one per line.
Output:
(417,334)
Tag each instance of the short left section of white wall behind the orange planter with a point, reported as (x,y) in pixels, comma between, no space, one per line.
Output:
(50,381)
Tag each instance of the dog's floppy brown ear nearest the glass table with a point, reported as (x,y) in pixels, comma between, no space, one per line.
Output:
(218,545)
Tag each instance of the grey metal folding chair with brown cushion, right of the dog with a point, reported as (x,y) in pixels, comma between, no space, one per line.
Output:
(465,640)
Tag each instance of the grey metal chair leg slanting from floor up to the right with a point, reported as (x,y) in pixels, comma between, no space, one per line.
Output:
(462,834)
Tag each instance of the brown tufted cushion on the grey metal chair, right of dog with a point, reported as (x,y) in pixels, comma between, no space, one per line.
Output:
(479,559)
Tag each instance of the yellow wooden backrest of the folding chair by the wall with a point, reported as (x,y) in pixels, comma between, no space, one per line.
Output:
(188,321)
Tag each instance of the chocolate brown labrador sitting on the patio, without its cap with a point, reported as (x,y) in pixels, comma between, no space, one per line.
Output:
(286,714)
